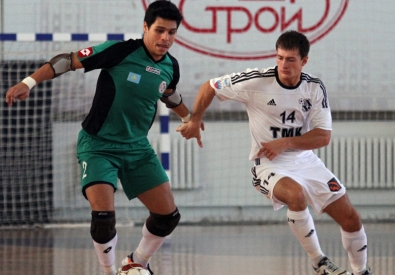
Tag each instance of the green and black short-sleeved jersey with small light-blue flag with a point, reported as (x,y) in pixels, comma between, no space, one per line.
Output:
(128,89)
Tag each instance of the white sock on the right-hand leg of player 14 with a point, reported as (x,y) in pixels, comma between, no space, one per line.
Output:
(355,243)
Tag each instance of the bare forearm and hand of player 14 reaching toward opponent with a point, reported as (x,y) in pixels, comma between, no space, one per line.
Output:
(203,100)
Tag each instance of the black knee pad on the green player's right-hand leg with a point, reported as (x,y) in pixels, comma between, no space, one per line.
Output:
(162,225)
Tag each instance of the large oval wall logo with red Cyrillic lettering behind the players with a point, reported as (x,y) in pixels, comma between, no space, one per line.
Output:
(215,28)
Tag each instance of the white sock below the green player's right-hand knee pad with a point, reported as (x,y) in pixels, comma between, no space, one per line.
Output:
(147,247)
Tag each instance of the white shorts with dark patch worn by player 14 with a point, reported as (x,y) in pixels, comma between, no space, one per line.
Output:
(320,185)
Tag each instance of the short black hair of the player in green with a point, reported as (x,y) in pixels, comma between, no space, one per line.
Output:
(163,9)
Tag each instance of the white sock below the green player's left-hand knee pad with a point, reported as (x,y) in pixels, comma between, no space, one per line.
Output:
(106,254)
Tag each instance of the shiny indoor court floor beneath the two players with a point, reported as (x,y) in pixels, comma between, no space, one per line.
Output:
(267,249)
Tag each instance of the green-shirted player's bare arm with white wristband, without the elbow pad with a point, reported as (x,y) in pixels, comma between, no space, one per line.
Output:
(21,90)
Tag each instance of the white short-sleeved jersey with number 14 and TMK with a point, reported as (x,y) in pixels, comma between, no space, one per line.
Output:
(275,110)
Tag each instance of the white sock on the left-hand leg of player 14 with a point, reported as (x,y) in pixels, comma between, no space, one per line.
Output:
(302,226)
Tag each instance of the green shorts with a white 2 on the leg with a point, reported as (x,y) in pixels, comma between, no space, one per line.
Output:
(136,165)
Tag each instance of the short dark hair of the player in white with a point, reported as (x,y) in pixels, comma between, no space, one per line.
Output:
(291,40)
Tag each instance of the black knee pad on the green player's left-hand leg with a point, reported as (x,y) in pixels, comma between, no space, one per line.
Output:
(103,226)
